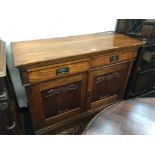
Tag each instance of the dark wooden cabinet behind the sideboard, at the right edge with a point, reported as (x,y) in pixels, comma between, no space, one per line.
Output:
(142,78)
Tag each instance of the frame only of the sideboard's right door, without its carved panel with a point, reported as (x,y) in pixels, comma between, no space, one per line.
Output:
(107,70)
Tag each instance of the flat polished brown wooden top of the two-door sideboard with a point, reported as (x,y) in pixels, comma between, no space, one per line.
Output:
(30,53)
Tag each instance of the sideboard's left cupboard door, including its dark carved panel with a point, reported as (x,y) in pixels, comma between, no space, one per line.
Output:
(56,100)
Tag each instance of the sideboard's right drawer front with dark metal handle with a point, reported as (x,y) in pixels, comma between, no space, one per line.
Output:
(113,58)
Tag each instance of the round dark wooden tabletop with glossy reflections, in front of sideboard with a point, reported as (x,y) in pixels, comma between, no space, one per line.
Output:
(130,117)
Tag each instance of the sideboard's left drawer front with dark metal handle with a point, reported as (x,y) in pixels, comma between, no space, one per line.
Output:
(51,72)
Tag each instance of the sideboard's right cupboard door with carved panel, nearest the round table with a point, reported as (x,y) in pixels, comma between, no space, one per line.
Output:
(106,85)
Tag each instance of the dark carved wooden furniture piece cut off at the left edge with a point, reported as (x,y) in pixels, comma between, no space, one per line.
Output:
(9,115)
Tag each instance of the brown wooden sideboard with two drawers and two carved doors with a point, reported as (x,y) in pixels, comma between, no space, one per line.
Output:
(68,80)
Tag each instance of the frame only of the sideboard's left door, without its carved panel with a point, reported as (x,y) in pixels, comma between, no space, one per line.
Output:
(36,105)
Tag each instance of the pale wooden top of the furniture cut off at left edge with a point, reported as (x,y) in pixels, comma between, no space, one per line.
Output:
(2,59)
